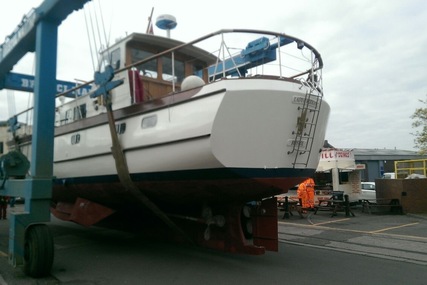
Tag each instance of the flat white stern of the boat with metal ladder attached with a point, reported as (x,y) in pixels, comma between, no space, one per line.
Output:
(270,125)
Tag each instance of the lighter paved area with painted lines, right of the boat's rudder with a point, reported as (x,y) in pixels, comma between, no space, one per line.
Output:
(388,236)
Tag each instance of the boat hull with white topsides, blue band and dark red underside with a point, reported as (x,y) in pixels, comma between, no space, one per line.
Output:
(229,143)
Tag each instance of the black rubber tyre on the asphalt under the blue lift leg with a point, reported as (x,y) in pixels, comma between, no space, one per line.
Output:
(38,251)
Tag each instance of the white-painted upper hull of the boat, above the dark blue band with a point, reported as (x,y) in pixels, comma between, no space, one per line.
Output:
(238,128)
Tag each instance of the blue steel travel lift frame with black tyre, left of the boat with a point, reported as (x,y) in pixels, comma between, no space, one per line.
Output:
(30,240)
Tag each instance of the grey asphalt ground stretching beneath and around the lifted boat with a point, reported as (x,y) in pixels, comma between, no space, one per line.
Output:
(381,248)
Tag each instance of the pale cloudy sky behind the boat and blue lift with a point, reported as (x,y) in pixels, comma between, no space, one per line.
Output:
(374,53)
